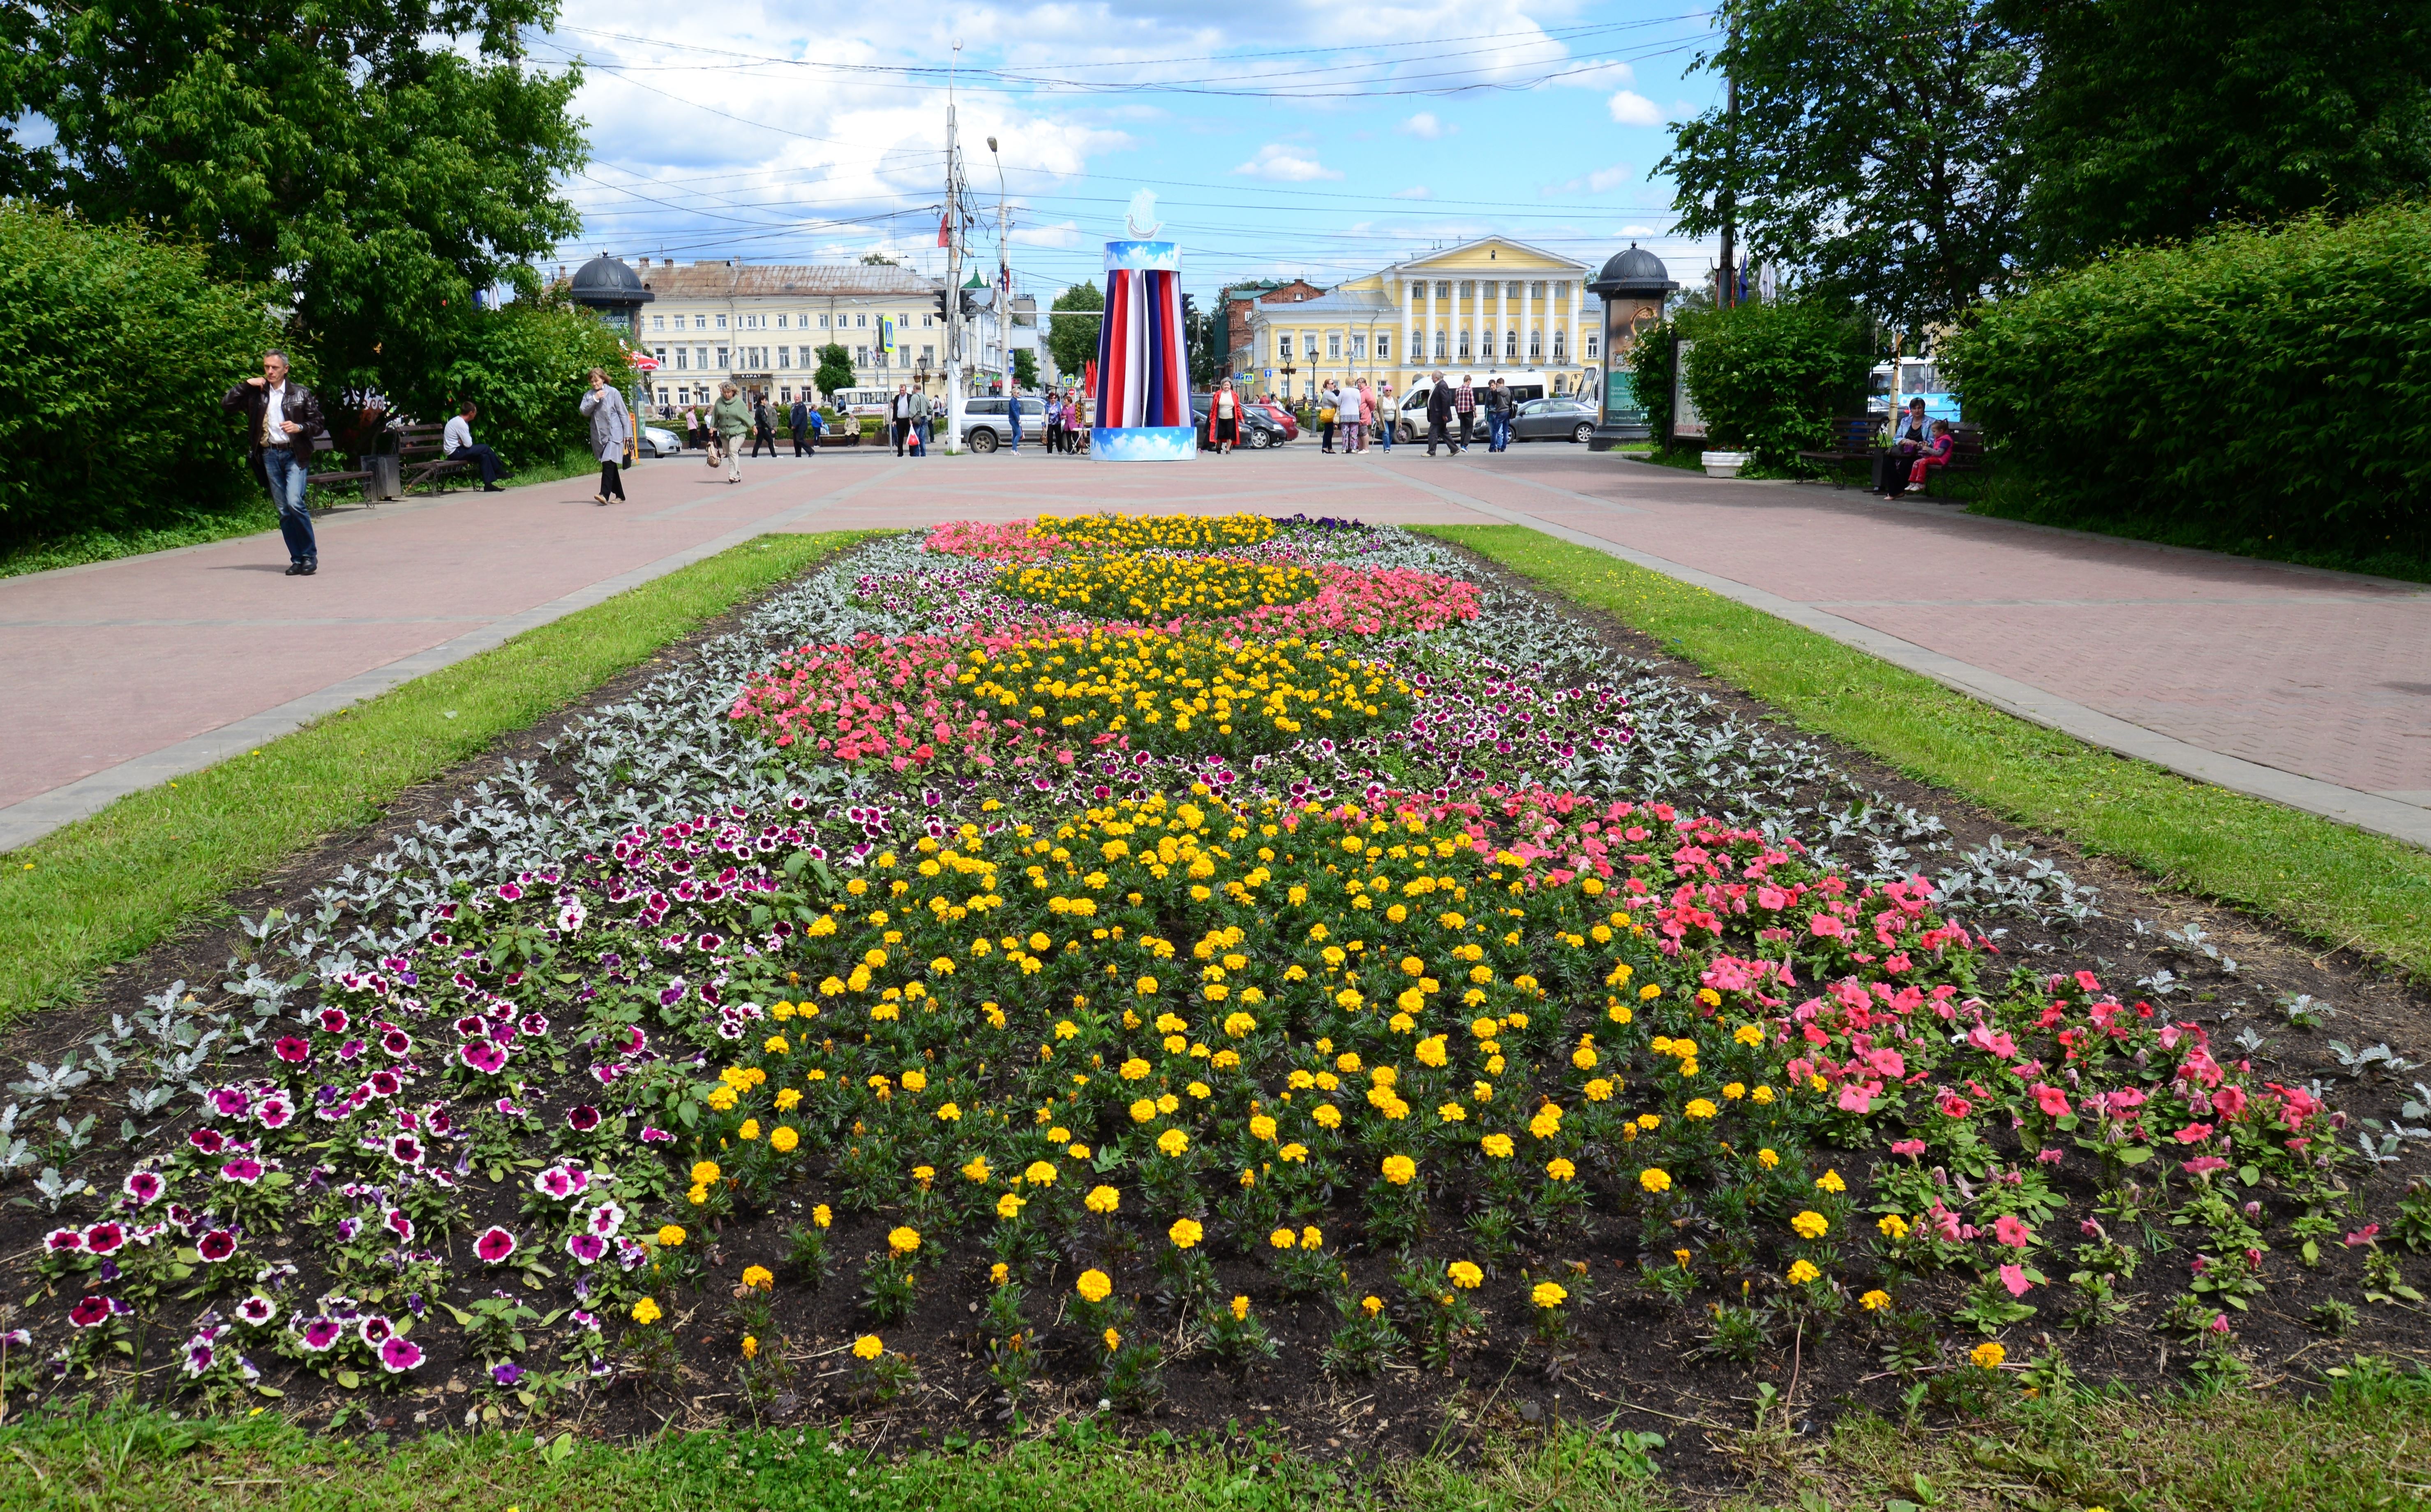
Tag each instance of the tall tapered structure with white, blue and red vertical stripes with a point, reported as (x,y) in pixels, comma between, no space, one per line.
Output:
(1144,376)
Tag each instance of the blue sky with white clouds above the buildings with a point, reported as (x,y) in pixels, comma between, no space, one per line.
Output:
(1299,140)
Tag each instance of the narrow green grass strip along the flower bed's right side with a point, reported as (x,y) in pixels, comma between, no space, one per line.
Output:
(2323,879)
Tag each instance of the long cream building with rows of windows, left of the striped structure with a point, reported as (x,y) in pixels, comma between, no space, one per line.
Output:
(762,327)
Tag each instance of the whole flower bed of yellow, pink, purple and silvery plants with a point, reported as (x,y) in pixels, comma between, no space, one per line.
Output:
(1144,983)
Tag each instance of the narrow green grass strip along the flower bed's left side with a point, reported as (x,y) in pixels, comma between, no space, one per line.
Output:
(111,886)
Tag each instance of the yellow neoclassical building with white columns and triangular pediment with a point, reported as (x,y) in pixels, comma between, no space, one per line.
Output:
(1482,308)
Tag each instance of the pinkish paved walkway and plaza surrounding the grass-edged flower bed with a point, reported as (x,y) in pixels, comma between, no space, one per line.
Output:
(2303,687)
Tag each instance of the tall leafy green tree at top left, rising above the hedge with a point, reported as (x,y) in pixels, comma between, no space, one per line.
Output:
(380,159)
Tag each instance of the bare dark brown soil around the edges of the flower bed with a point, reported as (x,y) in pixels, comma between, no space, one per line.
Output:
(1635,1358)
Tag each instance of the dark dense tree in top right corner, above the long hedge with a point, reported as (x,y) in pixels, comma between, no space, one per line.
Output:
(2160,118)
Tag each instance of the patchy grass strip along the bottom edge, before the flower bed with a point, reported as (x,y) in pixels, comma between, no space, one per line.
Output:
(2364,1443)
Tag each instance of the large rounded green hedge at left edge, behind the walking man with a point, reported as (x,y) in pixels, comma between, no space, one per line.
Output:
(118,349)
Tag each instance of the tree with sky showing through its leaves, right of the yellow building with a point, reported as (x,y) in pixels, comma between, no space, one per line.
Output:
(1873,154)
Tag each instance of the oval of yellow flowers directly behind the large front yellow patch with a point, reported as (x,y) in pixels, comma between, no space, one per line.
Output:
(1188,689)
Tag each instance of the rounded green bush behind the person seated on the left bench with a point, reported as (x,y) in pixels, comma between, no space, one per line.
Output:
(526,366)
